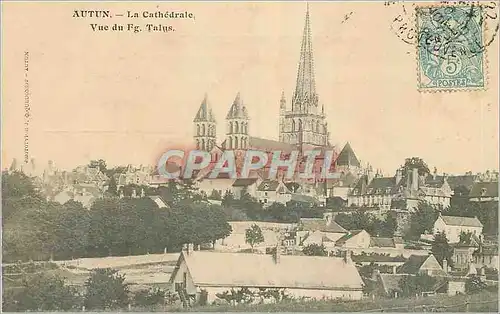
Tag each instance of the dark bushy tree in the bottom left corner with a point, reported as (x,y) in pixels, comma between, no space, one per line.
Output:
(42,292)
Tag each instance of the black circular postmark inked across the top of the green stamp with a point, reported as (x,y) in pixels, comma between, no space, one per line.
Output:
(456,28)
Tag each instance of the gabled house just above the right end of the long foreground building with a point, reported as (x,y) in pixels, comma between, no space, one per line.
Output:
(321,227)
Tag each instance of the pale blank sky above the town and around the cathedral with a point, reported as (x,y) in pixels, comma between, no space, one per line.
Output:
(127,97)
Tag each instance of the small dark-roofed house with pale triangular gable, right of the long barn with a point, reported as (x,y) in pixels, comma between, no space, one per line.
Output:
(422,264)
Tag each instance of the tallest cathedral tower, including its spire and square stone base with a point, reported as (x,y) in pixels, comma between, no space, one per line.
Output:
(305,123)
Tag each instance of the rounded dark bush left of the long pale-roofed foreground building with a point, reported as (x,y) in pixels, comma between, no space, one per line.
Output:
(105,289)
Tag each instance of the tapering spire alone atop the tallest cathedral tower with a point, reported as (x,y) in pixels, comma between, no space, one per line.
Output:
(305,90)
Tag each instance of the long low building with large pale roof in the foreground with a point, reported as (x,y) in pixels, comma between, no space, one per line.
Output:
(310,277)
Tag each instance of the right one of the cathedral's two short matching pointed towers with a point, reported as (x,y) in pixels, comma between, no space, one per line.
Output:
(237,125)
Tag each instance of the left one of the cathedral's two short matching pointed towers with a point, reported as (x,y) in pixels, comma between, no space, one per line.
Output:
(205,127)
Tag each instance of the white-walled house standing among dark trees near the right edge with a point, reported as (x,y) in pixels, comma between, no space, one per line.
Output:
(453,226)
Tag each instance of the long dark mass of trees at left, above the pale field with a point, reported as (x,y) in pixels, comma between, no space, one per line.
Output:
(35,229)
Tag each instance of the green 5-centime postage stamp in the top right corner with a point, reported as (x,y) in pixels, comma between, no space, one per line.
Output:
(450,47)
